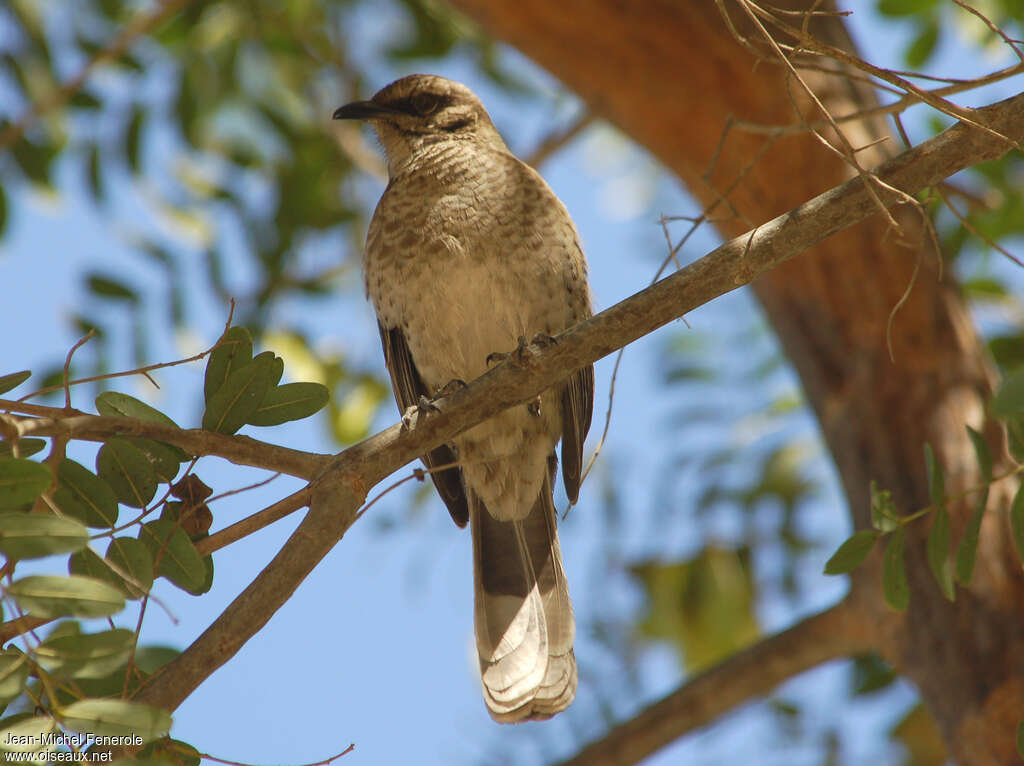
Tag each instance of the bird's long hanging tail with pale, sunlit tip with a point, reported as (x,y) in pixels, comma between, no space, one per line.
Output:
(524,617)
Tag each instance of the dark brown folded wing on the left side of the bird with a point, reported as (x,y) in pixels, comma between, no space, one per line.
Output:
(408,388)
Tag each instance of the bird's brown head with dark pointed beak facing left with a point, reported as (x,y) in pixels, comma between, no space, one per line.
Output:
(420,111)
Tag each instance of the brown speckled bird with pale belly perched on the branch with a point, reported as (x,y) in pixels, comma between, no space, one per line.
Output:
(470,253)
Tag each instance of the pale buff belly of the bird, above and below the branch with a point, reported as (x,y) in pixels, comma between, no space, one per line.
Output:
(460,311)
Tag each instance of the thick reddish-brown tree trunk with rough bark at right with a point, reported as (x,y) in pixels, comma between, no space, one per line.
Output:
(671,75)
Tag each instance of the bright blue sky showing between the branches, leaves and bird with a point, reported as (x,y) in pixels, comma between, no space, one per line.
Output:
(376,647)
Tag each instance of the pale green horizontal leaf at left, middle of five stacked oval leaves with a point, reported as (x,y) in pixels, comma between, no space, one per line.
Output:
(49,597)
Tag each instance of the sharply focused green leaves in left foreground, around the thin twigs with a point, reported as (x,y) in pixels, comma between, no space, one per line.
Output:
(77,682)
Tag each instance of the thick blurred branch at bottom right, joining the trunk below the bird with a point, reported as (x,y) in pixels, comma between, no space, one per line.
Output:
(838,632)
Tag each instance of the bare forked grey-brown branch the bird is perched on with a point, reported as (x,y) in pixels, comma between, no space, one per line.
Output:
(340,485)
